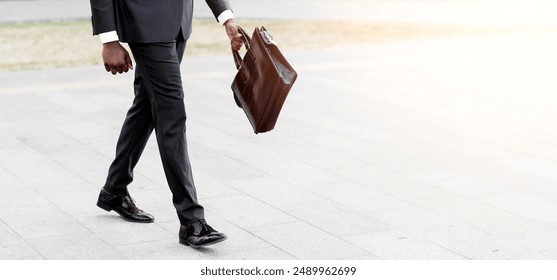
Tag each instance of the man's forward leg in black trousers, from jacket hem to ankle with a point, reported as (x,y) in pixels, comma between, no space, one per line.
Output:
(158,65)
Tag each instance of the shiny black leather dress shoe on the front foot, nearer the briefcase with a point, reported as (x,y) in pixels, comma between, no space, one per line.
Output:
(199,234)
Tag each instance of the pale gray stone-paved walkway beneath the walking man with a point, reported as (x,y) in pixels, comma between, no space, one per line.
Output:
(431,149)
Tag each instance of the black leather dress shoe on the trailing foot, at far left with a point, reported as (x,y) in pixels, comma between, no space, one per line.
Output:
(124,206)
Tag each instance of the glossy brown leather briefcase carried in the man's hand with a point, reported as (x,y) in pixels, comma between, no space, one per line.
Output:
(263,81)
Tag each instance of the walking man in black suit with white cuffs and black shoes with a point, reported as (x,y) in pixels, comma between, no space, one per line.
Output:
(156,32)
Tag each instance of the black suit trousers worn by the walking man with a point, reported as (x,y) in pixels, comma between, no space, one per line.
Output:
(158,105)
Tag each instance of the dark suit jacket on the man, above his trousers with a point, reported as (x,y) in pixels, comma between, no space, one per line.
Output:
(148,21)
